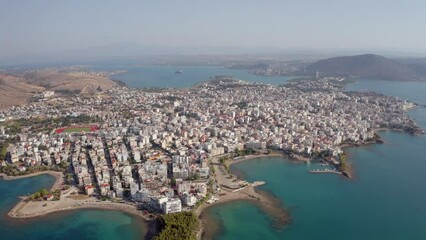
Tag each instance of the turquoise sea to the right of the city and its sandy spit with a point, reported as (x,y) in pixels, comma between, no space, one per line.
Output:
(385,200)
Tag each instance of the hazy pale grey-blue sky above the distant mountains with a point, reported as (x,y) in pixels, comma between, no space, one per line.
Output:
(55,25)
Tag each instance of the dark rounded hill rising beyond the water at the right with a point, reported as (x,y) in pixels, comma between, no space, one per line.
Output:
(369,66)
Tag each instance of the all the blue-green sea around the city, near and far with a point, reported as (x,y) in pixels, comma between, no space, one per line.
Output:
(385,200)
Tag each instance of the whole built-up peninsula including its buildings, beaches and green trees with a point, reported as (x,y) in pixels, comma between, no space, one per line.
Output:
(165,154)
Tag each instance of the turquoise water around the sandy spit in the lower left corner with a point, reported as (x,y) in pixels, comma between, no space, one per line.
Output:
(83,224)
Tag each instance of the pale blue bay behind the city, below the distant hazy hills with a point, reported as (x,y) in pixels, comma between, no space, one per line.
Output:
(165,76)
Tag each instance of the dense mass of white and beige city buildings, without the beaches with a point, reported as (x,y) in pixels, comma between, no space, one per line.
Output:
(153,148)
